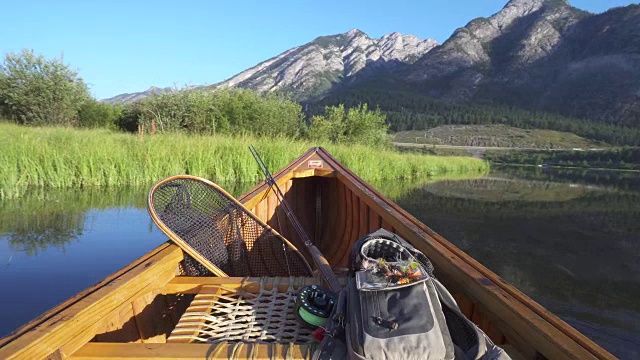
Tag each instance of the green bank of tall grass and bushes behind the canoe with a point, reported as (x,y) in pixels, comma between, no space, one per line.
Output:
(56,135)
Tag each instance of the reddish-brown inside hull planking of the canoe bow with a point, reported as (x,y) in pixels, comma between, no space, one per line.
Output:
(334,218)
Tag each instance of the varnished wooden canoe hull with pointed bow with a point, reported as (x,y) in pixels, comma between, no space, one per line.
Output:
(130,313)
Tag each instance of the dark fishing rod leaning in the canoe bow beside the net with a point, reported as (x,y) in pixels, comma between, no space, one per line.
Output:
(321,262)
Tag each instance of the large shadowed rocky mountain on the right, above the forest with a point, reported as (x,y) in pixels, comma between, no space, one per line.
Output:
(540,54)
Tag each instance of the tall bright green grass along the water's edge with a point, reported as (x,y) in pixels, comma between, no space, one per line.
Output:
(64,157)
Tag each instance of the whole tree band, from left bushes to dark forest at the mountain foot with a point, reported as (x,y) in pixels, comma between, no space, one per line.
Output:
(39,91)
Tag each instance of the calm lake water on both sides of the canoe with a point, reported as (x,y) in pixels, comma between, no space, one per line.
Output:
(569,239)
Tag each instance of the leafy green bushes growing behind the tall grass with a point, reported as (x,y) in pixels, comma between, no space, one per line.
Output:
(39,91)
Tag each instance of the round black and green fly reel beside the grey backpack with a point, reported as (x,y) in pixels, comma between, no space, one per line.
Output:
(314,305)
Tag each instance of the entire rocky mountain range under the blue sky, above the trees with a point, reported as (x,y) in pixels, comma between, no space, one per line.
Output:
(541,55)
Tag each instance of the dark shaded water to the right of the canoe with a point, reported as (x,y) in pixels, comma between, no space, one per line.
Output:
(568,239)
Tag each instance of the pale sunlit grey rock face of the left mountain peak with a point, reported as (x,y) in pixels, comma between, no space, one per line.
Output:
(311,69)
